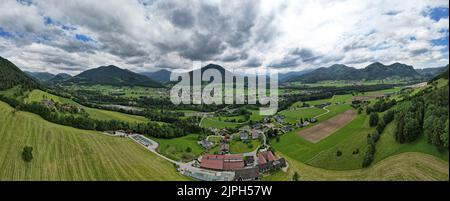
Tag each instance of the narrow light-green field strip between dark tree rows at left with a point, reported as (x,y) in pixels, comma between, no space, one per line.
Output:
(38,96)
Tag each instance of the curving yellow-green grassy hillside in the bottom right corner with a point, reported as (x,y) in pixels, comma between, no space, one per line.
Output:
(402,167)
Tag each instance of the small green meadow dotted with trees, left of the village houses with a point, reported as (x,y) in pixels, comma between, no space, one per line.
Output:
(176,148)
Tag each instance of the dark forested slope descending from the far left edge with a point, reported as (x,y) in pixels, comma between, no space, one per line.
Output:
(11,76)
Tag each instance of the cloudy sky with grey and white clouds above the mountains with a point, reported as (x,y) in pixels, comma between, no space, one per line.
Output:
(146,35)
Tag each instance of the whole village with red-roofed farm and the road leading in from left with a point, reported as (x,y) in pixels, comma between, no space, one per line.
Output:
(218,163)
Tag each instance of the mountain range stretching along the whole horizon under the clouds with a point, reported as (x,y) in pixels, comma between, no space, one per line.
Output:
(113,75)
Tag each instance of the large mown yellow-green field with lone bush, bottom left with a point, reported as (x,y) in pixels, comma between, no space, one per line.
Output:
(65,153)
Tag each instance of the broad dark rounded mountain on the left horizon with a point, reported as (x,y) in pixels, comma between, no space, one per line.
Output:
(112,75)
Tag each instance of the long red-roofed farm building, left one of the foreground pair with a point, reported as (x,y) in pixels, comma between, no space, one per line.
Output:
(222,162)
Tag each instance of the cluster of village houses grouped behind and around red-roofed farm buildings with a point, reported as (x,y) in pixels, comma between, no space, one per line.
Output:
(248,166)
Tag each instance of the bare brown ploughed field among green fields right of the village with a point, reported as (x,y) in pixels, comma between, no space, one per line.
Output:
(325,129)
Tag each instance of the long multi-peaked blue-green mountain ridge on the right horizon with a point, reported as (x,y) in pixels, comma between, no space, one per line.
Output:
(371,72)
